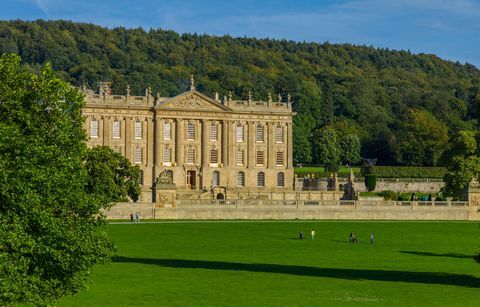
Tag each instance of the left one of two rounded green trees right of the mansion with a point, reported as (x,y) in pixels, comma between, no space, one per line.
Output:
(327,148)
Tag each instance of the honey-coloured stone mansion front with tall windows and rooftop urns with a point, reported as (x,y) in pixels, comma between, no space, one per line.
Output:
(195,144)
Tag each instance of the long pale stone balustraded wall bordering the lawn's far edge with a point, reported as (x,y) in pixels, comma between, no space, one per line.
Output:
(305,209)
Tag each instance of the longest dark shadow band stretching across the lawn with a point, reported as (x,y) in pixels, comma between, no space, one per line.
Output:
(350,274)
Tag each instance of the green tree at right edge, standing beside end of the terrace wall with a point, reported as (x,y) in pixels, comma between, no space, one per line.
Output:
(463,163)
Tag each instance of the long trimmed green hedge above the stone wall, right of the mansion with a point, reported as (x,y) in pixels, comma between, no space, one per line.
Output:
(408,172)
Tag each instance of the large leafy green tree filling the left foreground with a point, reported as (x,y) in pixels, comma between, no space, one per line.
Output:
(51,231)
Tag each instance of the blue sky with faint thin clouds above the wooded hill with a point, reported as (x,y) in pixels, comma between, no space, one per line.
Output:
(448,28)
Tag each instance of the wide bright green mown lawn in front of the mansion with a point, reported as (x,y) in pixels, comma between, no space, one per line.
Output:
(262,263)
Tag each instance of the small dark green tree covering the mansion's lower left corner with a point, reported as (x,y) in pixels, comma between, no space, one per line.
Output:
(111,176)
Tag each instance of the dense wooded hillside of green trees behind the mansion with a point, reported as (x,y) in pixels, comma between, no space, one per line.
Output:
(393,105)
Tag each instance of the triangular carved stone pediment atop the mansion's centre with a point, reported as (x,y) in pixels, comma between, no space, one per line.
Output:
(192,100)
